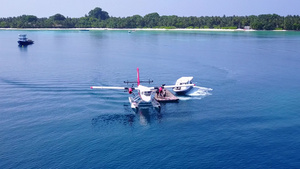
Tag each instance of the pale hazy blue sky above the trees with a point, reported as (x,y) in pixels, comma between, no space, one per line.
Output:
(124,8)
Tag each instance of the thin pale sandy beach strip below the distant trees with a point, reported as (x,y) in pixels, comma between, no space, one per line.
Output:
(135,29)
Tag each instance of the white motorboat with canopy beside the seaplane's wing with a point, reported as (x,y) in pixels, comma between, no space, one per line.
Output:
(183,81)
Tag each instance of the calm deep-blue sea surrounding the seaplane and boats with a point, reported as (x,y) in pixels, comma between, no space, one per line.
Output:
(50,118)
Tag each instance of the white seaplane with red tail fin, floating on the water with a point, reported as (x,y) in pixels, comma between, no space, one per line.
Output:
(146,95)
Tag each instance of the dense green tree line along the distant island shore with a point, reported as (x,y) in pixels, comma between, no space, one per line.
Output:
(97,18)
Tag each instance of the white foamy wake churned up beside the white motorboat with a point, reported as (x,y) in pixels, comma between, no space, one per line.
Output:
(196,92)
